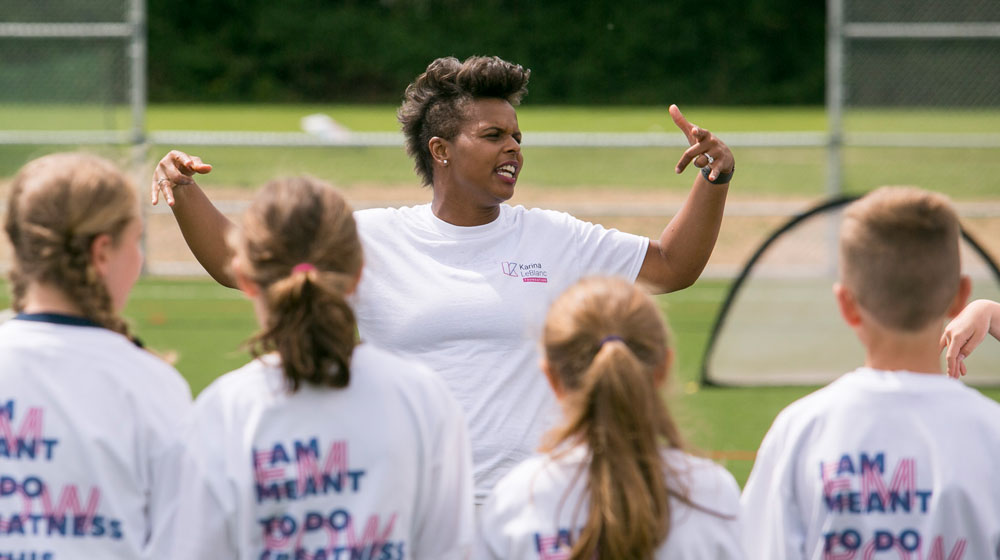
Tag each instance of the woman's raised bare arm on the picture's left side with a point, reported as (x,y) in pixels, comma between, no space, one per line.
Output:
(204,227)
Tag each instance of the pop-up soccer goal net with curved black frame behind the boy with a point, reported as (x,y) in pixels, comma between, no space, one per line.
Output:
(779,324)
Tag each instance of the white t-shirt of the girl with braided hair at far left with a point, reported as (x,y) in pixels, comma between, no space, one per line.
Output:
(86,421)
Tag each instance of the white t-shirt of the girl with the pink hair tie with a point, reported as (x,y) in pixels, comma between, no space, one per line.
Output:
(379,469)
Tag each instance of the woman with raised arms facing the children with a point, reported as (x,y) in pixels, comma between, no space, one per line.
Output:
(463,283)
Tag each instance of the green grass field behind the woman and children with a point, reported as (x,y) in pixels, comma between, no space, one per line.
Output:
(204,324)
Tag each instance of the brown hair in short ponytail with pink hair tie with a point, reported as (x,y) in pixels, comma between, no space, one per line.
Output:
(299,243)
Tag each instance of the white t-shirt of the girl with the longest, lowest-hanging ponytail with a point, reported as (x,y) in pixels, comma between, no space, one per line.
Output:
(532,512)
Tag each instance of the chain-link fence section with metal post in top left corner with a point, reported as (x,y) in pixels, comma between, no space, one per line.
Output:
(74,67)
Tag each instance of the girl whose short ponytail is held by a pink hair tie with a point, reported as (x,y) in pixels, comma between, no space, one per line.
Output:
(319,448)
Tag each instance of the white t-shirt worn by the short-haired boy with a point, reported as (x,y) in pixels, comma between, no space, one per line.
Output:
(879,465)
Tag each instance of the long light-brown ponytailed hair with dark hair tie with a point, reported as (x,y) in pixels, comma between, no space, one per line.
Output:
(606,343)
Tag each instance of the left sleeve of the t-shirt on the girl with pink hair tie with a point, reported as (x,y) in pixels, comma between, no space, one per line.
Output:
(202,525)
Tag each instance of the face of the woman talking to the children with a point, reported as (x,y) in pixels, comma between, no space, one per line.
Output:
(484,158)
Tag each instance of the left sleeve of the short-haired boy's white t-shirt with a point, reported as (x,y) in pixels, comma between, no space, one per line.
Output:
(772,523)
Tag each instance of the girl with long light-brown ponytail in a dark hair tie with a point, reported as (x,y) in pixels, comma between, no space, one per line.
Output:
(614,481)
